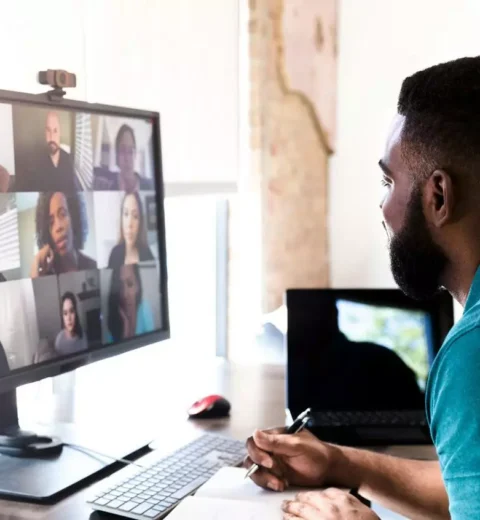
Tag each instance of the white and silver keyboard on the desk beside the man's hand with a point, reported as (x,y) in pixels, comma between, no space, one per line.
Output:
(153,490)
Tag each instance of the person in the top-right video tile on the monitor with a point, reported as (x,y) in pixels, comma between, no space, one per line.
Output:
(127,179)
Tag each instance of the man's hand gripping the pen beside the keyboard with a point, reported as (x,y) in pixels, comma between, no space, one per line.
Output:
(299,459)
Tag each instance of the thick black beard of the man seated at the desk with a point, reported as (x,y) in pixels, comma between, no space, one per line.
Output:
(416,261)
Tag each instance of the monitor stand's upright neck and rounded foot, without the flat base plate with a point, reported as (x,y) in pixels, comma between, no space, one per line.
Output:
(18,443)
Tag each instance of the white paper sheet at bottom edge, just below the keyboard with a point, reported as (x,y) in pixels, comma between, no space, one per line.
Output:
(220,509)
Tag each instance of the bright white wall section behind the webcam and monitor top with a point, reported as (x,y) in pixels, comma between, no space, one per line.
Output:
(179,58)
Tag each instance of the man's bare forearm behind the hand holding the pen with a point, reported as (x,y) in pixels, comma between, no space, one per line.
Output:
(413,488)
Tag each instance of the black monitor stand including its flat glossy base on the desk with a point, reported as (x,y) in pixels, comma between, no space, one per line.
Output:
(41,469)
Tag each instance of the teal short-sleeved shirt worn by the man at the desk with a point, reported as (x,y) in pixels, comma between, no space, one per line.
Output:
(453,409)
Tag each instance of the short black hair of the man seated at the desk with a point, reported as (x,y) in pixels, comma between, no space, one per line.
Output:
(441,106)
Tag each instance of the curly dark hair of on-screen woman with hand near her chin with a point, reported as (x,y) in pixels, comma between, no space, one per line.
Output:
(78,219)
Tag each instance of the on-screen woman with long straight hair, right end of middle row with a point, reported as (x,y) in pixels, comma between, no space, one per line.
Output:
(132,247)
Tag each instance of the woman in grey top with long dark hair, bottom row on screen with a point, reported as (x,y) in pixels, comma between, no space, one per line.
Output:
(71,338)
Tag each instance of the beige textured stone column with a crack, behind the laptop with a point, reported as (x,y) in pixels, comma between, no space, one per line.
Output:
(293,86)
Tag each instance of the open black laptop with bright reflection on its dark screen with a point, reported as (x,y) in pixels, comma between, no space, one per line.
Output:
(359,358)
